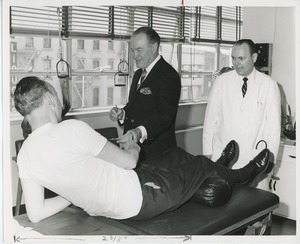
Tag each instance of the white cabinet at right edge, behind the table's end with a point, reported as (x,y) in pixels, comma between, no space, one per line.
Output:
(283,181)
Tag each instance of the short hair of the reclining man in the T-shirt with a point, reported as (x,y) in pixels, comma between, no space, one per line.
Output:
(29,94)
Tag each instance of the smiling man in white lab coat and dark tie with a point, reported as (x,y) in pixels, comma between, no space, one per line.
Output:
(244,105)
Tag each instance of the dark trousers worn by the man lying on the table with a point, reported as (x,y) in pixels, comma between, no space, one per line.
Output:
(167,186)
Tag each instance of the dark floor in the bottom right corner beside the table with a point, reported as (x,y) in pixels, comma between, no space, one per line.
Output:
(283,226)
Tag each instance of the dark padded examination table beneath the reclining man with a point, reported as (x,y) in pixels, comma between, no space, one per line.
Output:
(248,207)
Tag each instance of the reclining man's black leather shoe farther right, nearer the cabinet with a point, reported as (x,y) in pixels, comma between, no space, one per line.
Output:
(259,165)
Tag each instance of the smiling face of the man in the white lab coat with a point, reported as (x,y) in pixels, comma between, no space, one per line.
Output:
(242,60)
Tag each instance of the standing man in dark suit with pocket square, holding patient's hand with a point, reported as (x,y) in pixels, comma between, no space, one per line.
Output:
(150,114)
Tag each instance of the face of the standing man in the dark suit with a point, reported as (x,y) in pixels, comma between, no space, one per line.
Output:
(143,51)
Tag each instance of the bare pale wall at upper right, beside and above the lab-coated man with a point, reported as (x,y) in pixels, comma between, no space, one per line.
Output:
(276,25)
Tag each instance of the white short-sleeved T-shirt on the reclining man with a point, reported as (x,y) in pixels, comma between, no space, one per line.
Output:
(62,158)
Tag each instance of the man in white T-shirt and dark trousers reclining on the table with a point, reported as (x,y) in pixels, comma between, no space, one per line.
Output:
(83,168)
